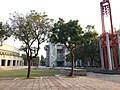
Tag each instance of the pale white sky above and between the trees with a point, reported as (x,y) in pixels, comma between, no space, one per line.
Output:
(86,11)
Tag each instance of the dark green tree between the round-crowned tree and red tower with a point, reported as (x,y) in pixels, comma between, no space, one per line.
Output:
(90,48)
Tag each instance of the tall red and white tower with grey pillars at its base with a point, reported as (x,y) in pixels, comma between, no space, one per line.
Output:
(109,43)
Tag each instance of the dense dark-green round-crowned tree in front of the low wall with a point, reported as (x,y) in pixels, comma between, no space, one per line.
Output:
(69,34)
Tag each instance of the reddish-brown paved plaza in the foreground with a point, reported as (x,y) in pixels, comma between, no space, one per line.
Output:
(55,83)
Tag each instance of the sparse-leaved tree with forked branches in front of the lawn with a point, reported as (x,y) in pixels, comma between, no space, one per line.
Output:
(31,29)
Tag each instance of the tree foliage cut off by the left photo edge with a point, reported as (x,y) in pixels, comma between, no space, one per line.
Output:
(4,32)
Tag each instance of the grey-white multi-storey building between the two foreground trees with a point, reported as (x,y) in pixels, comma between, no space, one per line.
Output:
(55,55)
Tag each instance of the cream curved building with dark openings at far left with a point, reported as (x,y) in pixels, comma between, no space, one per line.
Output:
(10,56)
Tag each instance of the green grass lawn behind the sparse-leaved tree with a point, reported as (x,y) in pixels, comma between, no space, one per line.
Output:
(23,73)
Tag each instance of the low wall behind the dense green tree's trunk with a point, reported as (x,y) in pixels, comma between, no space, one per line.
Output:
(77,72)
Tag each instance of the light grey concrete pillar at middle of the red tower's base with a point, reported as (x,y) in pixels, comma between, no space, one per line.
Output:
(108,51)
